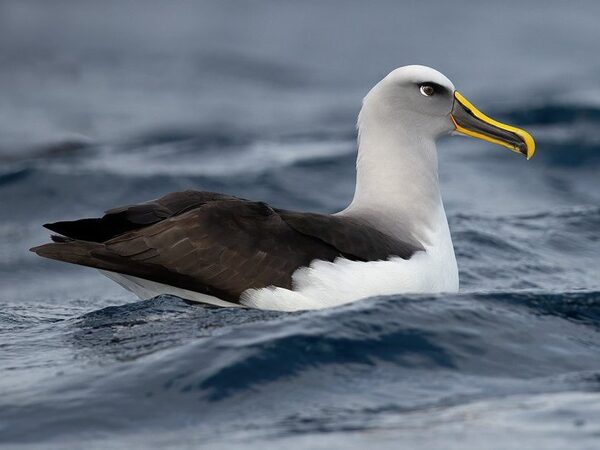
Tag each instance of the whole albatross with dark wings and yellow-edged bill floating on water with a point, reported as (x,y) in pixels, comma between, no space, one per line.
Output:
(222,250)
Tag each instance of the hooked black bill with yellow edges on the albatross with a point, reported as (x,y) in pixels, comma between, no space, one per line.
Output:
(469,121)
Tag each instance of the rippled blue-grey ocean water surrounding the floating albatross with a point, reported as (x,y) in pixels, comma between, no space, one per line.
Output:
(108,103)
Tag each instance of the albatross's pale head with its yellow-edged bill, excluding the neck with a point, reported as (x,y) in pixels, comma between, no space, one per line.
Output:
(424,101)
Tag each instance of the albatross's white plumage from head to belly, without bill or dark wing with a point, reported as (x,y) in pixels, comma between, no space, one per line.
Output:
(397,192)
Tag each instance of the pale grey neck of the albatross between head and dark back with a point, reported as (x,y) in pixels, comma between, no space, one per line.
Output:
(397,186)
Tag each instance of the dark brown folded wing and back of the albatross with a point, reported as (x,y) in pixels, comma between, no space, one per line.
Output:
(215,244)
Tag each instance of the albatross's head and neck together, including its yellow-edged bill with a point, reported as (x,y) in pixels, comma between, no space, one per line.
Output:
(398,126)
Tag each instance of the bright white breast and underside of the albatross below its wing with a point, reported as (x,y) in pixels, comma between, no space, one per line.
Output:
(325,284)
